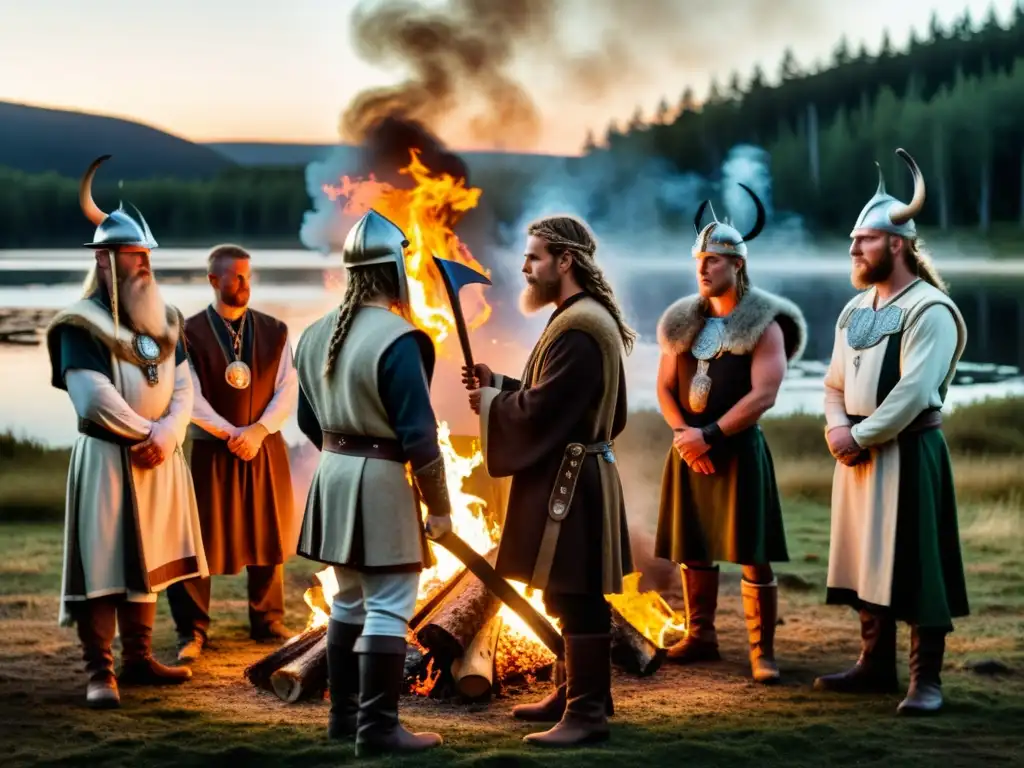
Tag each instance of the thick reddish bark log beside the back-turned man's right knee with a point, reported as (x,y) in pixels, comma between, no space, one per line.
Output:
(451,628)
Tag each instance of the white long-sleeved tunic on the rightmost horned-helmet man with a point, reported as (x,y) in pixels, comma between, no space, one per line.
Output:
(866,497)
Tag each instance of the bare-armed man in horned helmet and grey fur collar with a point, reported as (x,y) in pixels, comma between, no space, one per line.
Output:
(724,356)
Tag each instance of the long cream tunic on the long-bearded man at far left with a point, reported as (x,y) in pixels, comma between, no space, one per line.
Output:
(96,550)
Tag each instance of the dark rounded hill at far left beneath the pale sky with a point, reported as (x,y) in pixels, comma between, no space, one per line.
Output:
(35,140)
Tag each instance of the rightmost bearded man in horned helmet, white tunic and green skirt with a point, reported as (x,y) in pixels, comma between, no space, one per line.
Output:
(895,549)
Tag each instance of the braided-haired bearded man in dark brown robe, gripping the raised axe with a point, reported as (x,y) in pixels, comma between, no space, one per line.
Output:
(552,432)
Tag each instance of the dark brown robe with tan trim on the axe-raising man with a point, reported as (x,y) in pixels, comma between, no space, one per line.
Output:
(573,392)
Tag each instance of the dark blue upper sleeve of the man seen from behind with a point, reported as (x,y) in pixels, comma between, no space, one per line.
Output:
(405,392)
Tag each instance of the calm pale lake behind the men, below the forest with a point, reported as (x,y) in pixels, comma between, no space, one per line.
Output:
(298,287)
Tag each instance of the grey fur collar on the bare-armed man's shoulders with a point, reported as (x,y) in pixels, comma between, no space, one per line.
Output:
(680,324)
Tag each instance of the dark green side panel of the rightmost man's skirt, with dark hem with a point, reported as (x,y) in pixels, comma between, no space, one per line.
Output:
(929,588)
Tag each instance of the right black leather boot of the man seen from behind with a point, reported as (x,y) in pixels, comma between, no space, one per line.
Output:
(382,670)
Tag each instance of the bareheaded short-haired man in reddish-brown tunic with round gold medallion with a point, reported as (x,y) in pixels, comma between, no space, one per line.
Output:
(246,389)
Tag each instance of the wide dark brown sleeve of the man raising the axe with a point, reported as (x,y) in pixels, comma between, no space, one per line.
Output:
(520,429)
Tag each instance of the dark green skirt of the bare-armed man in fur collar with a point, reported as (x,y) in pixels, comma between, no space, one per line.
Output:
(734,516)
